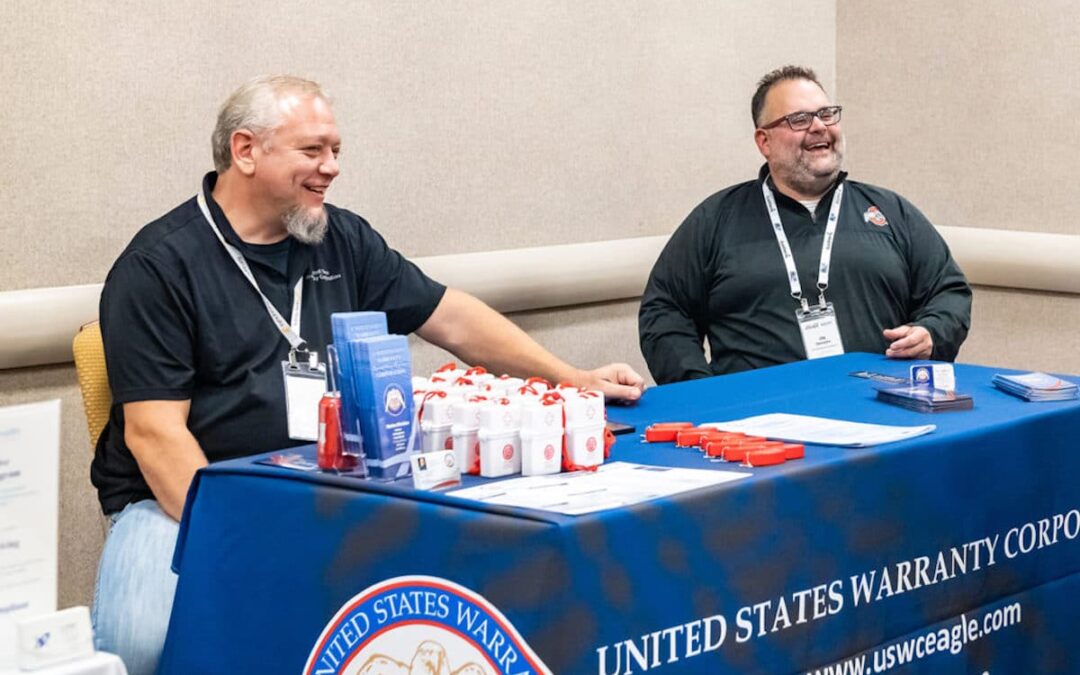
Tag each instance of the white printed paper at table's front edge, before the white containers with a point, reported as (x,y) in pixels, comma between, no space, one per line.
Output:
(611,487)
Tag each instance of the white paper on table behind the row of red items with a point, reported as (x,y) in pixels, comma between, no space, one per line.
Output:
(820,430)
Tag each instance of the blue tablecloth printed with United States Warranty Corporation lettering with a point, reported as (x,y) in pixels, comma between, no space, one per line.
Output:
(847,553)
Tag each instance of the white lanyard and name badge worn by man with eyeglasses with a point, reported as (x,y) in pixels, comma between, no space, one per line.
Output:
(818,325)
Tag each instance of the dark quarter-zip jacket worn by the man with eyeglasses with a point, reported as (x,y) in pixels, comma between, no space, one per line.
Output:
(722,278)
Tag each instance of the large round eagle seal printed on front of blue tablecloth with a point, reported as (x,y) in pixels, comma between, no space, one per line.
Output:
(421,626)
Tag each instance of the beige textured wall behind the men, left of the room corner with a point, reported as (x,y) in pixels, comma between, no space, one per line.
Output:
(468,126)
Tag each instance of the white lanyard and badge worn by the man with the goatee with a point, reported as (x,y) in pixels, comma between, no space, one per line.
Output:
(304,377)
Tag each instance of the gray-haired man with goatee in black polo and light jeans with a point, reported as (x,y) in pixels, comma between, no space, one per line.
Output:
(206,304)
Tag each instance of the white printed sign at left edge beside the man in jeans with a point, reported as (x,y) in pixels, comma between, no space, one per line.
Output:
(30,498)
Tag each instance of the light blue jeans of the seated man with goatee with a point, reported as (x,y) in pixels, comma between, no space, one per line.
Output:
(133,597)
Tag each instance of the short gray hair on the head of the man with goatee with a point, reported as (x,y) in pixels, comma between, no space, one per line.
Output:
(254,107)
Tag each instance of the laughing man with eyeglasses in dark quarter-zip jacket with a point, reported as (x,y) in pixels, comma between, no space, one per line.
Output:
(802,263)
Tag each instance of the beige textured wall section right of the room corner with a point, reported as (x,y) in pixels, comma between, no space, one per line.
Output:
(969,110)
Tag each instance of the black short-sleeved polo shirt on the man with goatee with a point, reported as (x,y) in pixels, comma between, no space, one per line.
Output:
(181,322)
